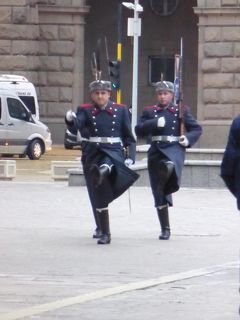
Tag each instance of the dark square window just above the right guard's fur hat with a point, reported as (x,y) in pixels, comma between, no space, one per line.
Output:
(161,68)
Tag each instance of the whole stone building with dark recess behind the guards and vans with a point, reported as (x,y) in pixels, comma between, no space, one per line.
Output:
(50,41)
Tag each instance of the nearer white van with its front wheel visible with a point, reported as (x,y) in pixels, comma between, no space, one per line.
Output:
(20,132)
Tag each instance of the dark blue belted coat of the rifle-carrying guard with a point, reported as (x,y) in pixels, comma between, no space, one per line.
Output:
(172,151)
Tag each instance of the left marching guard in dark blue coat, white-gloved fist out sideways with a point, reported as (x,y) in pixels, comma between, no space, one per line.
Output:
(106,131)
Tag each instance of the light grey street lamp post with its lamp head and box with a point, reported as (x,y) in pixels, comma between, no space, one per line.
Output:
(134,30)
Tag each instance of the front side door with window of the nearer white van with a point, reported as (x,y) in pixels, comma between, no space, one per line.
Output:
(19,128)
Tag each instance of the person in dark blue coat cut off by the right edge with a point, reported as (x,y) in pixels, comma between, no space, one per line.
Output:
(230,167)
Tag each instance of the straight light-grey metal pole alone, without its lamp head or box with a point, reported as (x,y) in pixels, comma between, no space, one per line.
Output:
(135,68)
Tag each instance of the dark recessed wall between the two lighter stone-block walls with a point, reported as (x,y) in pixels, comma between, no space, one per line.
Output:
(158,44)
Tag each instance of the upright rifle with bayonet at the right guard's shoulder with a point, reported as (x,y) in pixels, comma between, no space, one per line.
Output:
(178,83)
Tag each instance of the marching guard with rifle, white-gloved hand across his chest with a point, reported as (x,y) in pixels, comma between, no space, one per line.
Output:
(167,152)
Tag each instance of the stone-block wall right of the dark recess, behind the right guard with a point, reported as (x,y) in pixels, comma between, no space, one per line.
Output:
(218,68)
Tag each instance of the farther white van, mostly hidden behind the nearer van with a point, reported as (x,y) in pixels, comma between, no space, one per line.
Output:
(24,89)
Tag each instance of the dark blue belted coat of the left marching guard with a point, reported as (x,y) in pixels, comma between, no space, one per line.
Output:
(114,121)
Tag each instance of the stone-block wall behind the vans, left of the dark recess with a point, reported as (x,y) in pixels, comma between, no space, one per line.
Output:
(44,41)
